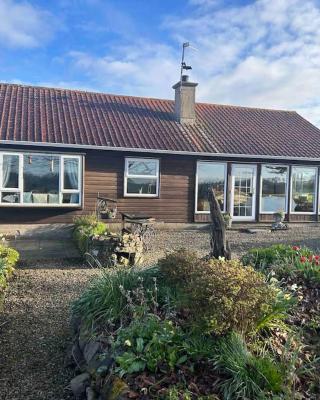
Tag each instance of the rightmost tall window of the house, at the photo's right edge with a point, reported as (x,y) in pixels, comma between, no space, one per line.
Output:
(303,189)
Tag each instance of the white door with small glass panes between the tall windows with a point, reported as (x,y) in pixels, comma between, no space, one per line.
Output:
(243,195)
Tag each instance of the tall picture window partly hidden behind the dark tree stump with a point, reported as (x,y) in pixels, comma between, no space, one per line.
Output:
(210,175)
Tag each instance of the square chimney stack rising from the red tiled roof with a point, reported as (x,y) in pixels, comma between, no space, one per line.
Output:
(185,100)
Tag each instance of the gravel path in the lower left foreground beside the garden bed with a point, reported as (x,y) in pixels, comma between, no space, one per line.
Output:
(34,331)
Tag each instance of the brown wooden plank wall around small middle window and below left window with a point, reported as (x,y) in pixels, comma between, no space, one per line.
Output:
(104,174)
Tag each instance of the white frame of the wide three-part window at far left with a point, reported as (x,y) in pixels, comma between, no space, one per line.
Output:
(61,179)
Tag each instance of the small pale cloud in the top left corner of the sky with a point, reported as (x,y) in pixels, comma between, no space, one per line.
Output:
(24,25)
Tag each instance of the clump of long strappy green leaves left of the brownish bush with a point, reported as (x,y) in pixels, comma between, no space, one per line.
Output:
(118,294)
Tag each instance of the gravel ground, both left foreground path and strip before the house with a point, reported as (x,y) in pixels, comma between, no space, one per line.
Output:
(34,331)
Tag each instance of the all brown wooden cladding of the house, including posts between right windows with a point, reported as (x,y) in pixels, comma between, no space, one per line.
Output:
(104,174)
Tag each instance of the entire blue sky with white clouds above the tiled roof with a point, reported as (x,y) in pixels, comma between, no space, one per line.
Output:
(262,53)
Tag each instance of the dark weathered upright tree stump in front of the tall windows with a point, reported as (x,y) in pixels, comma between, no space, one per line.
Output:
(218,242)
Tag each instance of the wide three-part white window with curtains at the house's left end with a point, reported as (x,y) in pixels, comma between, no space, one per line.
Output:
(34,179)
